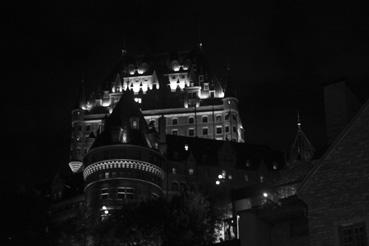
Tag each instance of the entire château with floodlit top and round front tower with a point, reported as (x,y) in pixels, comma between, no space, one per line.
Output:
(161,125)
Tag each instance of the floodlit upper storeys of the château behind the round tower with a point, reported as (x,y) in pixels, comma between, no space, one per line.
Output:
(176,86)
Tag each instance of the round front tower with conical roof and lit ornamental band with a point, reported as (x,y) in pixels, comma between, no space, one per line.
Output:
(124,163)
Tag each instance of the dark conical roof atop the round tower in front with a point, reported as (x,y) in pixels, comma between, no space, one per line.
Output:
(125,125)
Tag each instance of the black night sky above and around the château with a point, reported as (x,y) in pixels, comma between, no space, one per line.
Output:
(280,53)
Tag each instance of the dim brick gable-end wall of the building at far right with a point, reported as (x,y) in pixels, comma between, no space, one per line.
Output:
(338,192)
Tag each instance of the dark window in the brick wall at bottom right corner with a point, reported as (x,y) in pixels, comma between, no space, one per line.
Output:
(353,235)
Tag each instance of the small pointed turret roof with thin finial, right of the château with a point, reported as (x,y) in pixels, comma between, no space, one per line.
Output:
(301,149)
